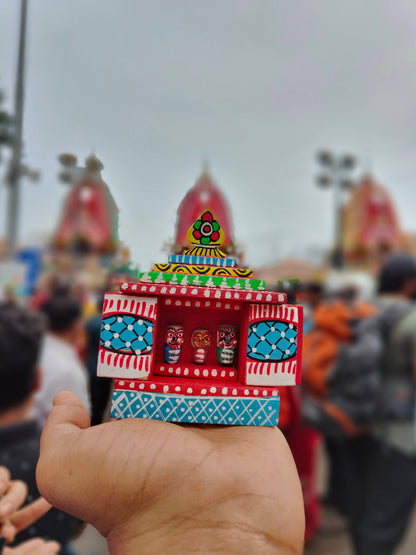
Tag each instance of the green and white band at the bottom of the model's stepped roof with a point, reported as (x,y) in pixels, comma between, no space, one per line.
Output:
(203,281)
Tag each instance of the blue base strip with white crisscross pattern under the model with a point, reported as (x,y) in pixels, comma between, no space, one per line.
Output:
(230,411)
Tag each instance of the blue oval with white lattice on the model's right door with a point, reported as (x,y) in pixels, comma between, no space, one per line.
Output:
(271,341)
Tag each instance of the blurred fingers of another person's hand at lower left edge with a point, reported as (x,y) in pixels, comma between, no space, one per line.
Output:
(12,496)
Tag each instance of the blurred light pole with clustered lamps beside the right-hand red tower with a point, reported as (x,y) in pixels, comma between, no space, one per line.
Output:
(335,173)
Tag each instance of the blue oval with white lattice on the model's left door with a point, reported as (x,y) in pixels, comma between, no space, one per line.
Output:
(127,334)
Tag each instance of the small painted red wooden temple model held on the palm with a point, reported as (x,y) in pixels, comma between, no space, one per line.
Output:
(198,340)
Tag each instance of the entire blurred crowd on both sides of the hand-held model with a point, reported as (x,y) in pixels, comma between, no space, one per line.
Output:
(356,401)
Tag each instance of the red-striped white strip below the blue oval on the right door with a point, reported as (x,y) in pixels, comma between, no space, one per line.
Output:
(271,373)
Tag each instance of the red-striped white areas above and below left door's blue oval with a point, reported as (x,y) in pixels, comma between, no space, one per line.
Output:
(116,365)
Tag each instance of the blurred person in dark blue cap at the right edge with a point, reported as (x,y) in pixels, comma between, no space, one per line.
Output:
(390,469)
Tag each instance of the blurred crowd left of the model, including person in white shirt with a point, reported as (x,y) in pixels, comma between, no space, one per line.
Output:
(48,343)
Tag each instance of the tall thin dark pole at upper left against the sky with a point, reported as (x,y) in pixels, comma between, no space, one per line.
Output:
(15,163)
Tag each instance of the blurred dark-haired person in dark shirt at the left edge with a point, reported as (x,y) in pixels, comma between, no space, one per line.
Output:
(21,333)
